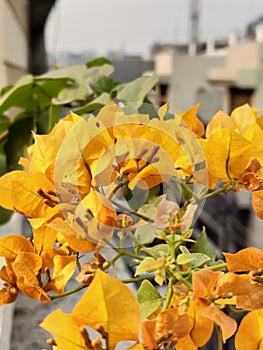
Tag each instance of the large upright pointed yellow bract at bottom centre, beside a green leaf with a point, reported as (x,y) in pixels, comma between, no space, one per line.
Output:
(110,306)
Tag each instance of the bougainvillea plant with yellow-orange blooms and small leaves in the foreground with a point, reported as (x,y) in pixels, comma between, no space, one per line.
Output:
(135,183)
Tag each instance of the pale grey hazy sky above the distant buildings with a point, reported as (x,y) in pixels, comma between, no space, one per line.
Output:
(133,25)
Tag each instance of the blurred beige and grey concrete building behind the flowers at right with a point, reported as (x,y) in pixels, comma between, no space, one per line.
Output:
(222,75)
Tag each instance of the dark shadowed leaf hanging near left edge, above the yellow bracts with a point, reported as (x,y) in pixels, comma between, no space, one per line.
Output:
(19,138)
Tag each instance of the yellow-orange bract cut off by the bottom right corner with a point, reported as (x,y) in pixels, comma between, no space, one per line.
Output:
(250,332)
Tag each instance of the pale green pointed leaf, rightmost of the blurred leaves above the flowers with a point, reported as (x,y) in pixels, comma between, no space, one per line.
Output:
(137,90)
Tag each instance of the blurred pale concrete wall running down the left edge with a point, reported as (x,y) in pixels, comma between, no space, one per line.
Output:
(13,64)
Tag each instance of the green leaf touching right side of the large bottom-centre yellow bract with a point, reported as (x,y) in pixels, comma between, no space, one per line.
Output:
(148,298)
